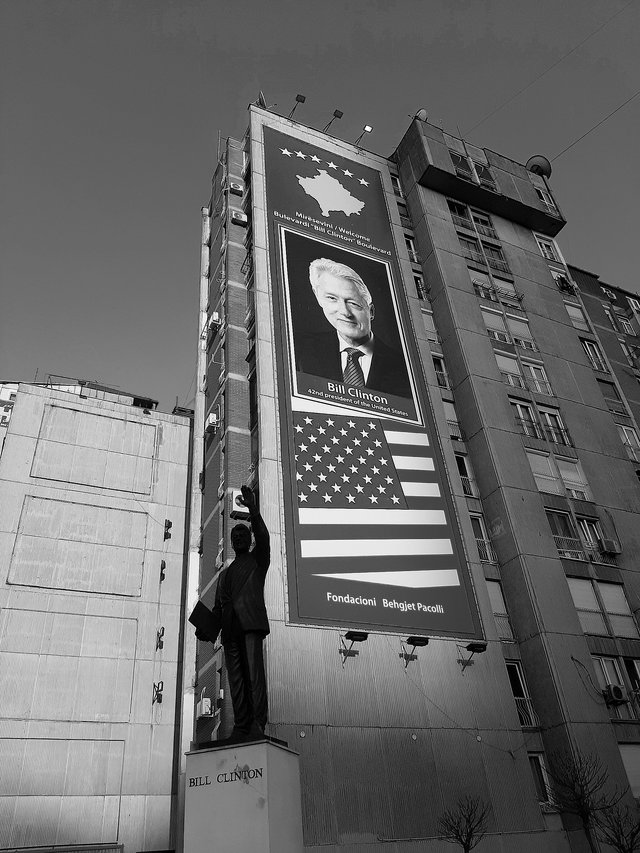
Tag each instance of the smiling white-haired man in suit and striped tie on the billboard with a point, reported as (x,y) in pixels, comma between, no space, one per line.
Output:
(342,344)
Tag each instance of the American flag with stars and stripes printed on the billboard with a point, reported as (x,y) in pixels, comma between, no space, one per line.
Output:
(369,503)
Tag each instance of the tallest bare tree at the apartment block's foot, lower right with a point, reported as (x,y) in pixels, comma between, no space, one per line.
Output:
(579,788)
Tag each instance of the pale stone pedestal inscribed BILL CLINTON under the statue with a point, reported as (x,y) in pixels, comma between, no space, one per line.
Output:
(243,797)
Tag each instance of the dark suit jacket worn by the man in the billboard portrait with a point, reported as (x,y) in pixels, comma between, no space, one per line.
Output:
(319,355)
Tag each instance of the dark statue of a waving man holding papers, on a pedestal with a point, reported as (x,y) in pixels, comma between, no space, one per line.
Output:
(239,613)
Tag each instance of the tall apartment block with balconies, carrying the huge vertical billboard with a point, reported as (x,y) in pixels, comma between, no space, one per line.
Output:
(504,500)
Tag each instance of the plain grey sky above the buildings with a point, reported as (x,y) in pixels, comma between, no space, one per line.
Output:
(111,110)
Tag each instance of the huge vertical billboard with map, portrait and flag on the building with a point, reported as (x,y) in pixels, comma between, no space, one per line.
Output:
(371,536)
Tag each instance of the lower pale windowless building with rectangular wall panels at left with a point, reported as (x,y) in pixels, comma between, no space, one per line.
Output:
(94,486)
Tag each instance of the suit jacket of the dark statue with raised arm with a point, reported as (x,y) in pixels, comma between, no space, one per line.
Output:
(240,591)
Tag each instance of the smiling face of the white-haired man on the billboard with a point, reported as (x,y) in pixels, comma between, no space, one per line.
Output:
(345,308)
